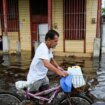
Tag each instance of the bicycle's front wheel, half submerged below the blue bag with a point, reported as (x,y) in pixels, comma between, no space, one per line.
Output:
(73,100)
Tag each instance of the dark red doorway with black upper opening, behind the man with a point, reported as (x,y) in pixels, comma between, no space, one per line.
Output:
(39,15)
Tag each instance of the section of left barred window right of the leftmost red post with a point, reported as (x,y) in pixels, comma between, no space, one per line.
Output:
(12,15)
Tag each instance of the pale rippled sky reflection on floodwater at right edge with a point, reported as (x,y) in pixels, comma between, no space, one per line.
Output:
(99,90)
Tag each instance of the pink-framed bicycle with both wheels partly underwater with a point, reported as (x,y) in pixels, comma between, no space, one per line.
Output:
(52,96)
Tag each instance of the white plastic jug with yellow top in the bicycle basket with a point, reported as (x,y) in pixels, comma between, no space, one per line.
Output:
(78,79)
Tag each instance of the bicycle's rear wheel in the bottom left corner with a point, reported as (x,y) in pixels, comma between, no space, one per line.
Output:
(7,98)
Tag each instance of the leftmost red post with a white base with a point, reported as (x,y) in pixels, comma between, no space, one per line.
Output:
(5,34)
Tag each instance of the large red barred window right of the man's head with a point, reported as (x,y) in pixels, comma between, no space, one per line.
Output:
(74,19)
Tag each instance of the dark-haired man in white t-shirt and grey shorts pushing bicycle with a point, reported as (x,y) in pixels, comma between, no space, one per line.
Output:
(44,61)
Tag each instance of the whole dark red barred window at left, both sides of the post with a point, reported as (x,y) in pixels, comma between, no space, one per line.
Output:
(12,15)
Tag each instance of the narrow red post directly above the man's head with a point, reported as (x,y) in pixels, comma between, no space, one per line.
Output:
(49,14)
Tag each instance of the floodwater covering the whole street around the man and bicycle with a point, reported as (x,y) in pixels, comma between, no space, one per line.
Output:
(15,67)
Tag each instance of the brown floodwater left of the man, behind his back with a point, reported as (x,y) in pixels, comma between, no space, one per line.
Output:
(12,68)
